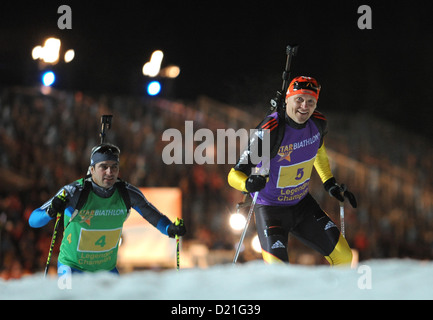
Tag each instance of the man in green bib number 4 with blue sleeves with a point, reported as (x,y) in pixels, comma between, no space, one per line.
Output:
(95,209)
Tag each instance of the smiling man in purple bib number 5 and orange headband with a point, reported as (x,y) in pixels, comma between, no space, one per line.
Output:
(284,204)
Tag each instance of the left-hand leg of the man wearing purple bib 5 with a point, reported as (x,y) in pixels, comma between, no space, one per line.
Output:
(272,234)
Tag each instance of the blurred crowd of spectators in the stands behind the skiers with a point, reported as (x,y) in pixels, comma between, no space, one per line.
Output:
(45,142)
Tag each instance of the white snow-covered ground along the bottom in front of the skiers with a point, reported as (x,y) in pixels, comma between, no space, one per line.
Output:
(375,279)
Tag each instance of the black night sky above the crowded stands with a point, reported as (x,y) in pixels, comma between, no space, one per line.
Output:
(235,51)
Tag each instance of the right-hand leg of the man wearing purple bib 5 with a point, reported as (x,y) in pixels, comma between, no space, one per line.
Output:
(319,232)
